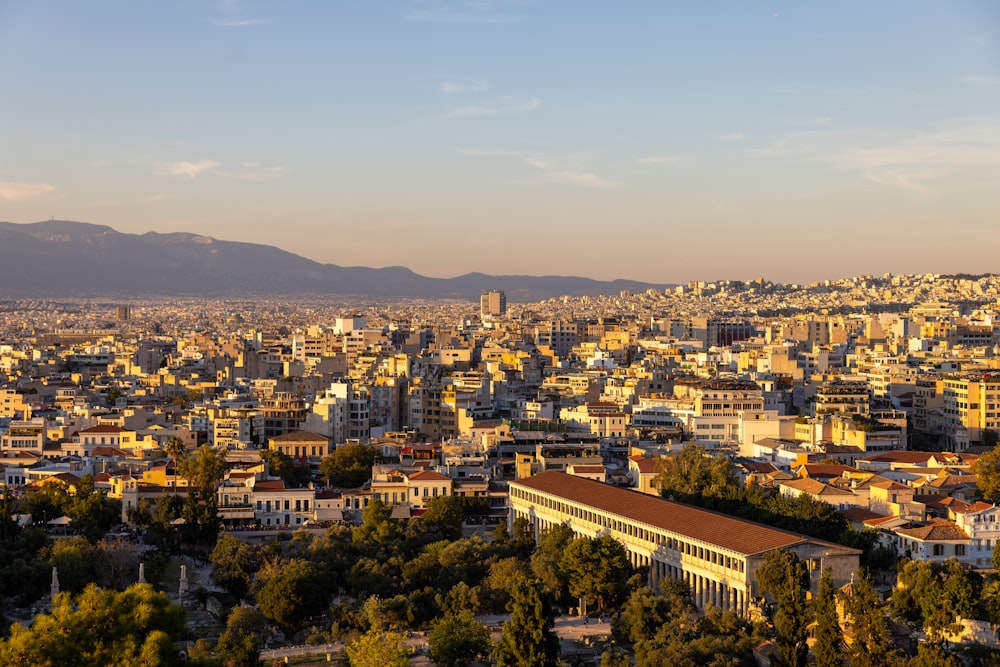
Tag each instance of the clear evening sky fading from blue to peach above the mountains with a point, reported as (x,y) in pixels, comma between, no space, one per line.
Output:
(656,141)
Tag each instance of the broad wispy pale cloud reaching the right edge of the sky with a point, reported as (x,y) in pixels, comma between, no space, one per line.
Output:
(908,159)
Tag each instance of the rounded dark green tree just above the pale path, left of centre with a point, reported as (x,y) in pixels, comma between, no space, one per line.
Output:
(292,592)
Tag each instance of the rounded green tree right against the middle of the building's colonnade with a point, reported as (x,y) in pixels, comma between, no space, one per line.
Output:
(598,569)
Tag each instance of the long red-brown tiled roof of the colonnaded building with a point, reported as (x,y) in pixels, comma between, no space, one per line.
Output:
(726,532)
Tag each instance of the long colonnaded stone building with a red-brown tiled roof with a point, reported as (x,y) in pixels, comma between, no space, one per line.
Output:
(716,554)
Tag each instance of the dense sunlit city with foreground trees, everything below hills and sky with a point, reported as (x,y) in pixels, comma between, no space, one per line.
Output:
(799,471)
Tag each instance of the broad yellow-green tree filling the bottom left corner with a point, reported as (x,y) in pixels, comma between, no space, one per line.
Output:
(137,626)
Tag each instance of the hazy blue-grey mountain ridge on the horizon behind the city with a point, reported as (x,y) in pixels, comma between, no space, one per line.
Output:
(77,258)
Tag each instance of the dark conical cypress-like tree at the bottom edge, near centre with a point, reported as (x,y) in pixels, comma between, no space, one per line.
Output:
(527,638)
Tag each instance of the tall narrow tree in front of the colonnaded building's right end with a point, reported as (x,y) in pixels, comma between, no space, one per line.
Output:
(783,576)
